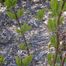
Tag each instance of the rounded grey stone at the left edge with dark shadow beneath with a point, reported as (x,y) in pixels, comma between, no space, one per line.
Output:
(5,36)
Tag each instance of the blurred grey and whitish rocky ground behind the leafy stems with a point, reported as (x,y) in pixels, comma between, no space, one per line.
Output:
(38,37)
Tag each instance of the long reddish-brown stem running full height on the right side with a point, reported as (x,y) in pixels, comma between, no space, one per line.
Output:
(57,34)
